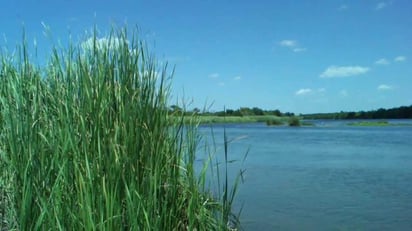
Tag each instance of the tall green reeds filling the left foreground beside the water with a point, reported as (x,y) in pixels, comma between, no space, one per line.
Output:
(87,144)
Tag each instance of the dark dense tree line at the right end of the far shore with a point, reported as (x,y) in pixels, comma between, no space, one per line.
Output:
(404,112)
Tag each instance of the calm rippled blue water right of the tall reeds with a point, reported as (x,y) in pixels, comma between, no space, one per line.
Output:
(327,177)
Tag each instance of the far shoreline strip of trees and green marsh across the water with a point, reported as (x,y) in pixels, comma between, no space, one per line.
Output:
(277,118)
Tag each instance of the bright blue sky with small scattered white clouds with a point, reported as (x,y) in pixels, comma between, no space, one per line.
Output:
(292,55)
